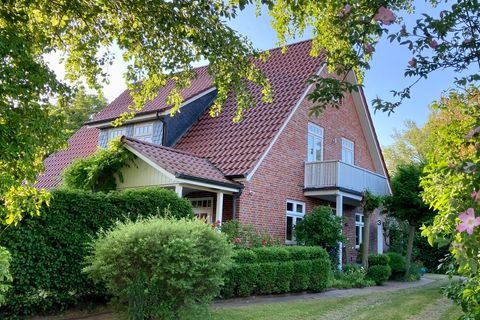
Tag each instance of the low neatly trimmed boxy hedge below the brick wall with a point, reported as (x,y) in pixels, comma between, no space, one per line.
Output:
(268,270)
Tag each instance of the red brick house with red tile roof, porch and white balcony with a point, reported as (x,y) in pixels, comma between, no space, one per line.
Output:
(269,170)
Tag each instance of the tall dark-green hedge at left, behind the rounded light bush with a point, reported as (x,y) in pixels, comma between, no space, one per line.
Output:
(48,252)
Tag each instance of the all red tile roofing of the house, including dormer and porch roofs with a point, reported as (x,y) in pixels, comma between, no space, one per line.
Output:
(233,148)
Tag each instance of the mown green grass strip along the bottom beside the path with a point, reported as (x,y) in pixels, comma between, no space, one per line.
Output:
(426,302)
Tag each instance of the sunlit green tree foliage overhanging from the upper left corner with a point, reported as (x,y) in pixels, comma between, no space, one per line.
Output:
(158,40)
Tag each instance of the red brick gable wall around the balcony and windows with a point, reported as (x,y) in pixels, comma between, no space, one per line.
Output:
(281,175)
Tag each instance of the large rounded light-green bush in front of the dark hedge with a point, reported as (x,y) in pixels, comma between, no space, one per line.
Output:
(159,267)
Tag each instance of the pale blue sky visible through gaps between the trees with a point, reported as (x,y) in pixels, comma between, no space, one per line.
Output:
(386,73)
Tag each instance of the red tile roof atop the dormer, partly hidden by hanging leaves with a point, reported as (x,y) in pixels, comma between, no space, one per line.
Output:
(202,83)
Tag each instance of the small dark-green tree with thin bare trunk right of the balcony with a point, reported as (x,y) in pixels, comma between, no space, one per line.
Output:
(406,203)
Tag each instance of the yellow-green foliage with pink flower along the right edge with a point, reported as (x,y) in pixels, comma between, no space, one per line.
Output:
(451,185)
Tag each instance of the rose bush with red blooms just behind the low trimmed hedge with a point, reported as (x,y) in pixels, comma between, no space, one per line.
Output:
(244,236)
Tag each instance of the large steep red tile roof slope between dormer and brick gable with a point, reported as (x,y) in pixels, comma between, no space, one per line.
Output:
(236,147)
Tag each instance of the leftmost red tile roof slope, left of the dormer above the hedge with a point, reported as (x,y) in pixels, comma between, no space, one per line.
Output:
(82,144)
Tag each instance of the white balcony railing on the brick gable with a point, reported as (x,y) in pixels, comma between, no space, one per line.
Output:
(338,174)
